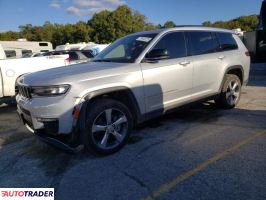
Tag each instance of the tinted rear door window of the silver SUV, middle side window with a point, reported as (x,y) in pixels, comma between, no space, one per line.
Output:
(202,42)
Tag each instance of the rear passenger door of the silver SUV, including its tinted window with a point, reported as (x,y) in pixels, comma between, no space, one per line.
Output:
(207,62)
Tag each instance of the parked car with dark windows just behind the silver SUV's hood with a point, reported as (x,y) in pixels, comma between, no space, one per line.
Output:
(75,56)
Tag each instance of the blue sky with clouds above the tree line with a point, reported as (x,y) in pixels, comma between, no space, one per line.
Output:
(183,12)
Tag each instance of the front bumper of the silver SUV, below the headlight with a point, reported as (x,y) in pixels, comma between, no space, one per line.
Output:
(51,115)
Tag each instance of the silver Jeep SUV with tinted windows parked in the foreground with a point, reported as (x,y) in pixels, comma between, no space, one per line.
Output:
(138,77)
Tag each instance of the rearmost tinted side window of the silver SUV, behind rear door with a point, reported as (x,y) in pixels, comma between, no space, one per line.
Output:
(227,42)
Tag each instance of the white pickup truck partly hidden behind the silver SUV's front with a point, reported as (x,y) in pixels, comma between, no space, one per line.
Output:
(11,69)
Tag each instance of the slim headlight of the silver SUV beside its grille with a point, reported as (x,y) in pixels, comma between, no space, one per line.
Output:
(49,90)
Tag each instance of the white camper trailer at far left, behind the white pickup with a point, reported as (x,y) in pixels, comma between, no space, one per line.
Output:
(16,49)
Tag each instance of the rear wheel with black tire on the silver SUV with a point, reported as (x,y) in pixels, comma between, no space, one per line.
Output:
(229,99)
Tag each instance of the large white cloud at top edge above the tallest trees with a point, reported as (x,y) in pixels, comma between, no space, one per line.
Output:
(90,7)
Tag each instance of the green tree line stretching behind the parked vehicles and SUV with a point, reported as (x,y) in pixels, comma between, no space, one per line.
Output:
(107,26)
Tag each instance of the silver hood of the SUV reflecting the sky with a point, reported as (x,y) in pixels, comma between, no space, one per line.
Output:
(70,73)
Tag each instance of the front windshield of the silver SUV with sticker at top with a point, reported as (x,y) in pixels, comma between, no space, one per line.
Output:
(125,50)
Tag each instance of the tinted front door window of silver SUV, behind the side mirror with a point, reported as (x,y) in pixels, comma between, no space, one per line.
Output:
(174,43)
